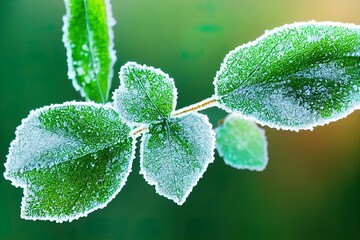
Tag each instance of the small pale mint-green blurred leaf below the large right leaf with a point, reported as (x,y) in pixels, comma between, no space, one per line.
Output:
(242,143)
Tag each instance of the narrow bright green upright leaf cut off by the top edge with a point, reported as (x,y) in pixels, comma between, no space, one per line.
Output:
(88,38)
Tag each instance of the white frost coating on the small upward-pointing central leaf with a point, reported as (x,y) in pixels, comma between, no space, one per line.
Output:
(134,108)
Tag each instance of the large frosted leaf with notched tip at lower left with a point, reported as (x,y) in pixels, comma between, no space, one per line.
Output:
(71,159)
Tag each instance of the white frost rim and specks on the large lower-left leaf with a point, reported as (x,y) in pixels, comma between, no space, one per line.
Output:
(27,193)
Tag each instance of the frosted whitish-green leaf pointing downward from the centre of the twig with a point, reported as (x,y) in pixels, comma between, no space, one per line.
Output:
(175,153)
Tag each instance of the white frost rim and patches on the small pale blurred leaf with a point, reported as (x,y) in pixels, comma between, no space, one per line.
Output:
(242,146)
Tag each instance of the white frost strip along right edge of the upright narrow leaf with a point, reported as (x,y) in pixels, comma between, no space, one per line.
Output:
(112,53)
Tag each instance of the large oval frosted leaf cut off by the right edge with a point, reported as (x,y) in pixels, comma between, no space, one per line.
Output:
(294,77)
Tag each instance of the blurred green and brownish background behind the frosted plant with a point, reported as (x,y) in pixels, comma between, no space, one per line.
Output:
(311,187)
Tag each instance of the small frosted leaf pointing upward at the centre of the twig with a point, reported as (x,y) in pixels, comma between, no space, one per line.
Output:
(145,95)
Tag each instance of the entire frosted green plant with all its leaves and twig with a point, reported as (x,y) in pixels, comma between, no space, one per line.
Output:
(73,158)
